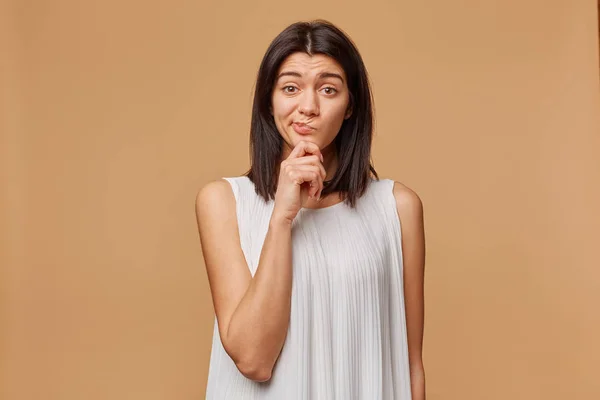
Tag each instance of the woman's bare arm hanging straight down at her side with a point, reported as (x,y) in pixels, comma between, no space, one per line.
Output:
(410,211)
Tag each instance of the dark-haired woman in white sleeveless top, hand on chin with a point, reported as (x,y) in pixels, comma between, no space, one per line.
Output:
(317,288)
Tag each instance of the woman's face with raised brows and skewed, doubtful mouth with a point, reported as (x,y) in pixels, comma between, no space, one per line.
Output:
(310,100)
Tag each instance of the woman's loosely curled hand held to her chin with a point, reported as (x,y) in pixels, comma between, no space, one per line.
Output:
(301,176)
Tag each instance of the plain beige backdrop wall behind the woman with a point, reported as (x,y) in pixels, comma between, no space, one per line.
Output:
(114,113)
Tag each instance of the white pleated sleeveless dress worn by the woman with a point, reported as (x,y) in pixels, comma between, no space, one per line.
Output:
(347,336)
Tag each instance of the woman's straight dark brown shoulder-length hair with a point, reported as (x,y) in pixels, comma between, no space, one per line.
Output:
(353,141)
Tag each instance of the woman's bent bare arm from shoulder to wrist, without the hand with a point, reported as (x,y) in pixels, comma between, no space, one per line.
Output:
(252,312)
